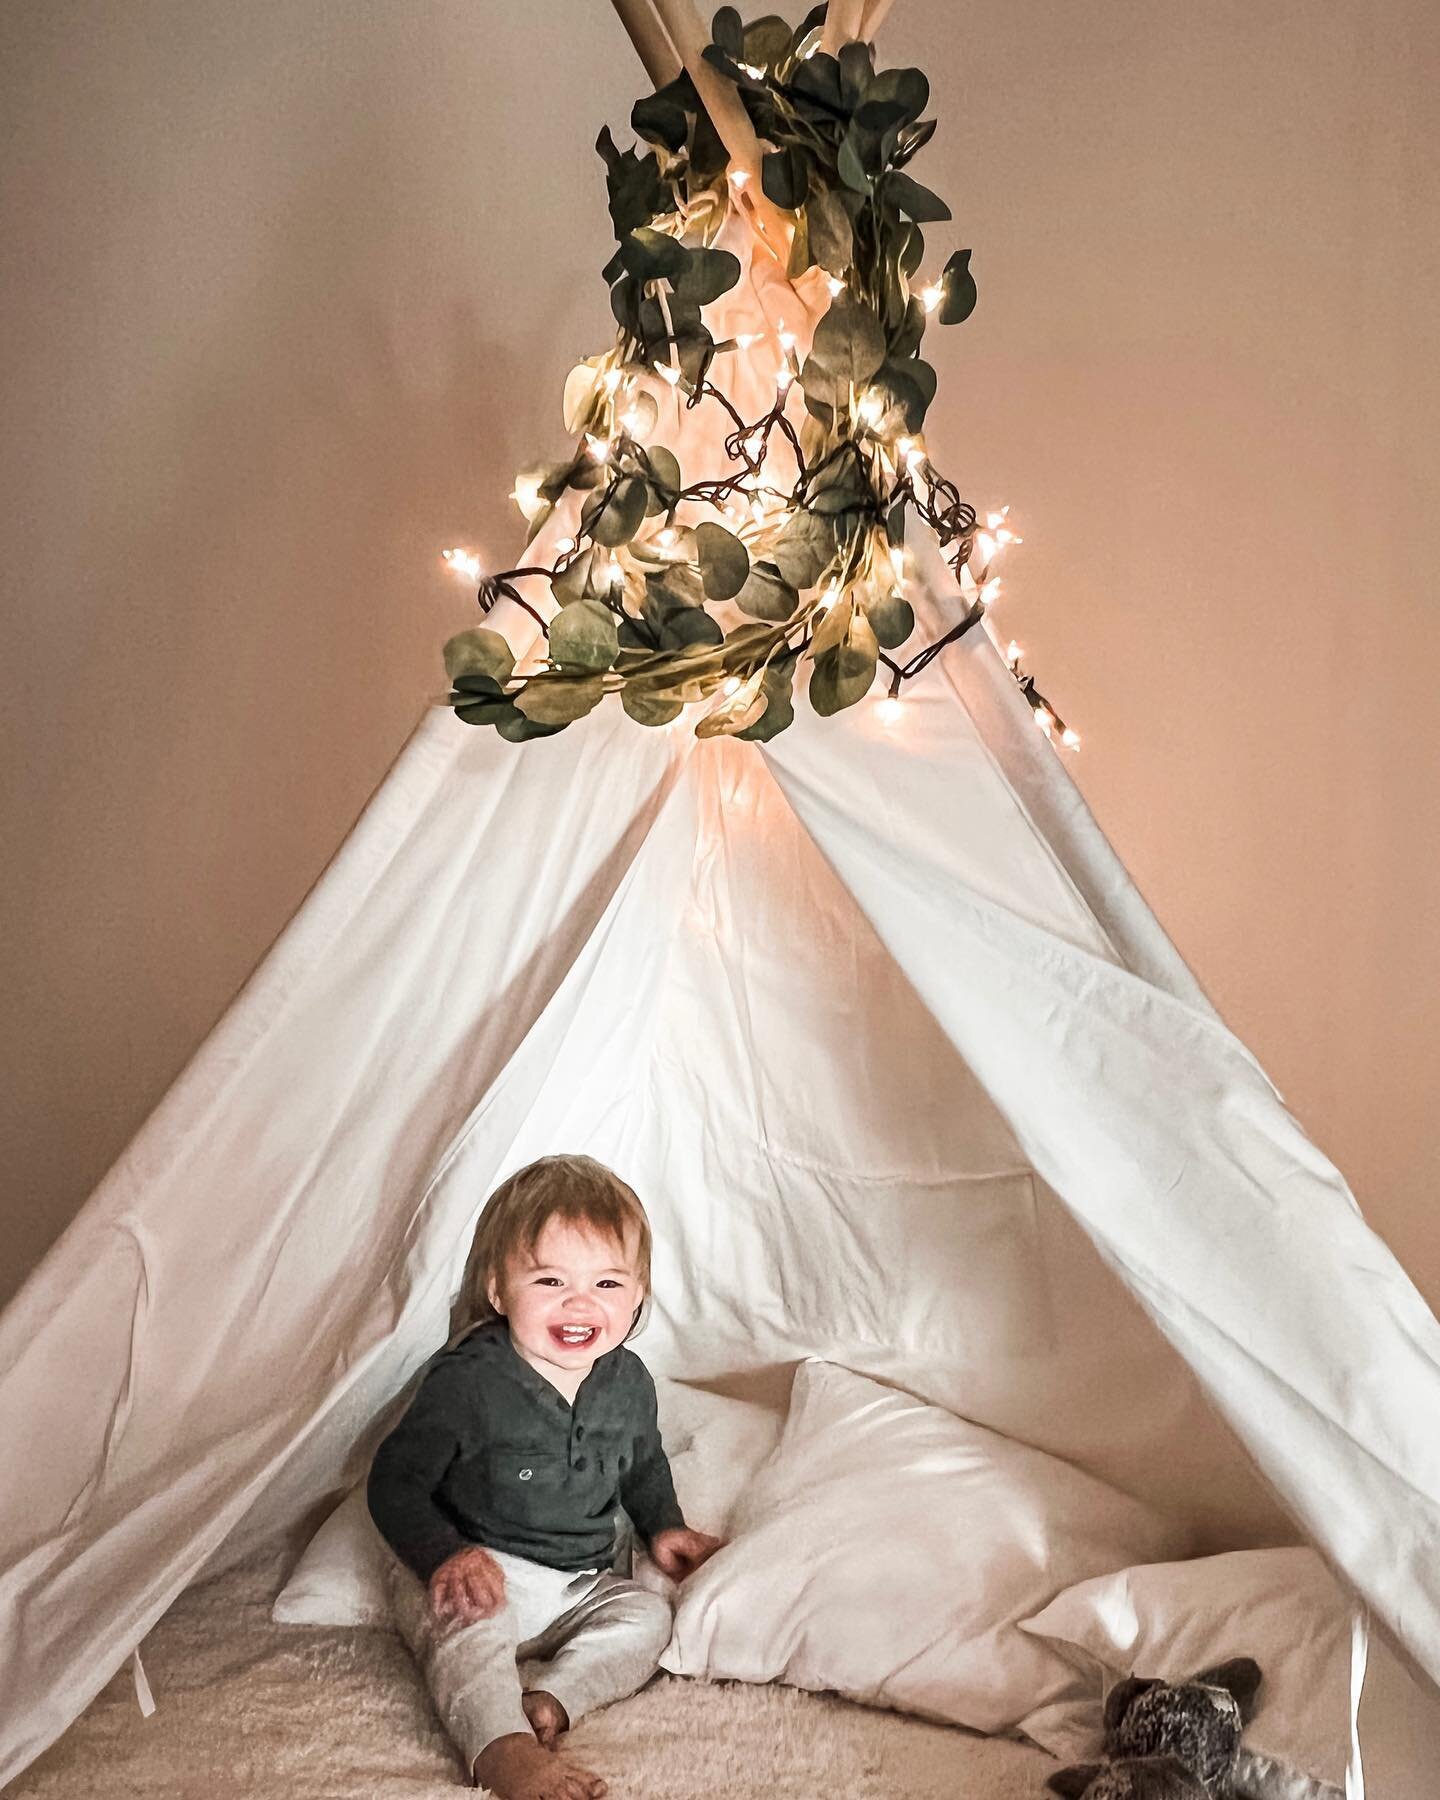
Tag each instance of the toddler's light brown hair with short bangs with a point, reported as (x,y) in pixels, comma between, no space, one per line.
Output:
(573,1189)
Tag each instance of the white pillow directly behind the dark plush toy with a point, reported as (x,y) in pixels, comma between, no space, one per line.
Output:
(1288,1612)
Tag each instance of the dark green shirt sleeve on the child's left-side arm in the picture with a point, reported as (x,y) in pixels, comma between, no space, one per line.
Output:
(411,1466)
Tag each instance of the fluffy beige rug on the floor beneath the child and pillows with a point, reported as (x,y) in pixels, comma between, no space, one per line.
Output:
(289,1713)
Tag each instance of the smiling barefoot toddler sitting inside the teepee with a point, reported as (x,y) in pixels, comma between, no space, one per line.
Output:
(499,1488)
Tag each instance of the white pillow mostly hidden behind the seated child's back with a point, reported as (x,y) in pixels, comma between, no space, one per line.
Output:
(715,1446)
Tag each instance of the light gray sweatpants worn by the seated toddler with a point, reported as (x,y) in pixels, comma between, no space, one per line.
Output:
(588,1639)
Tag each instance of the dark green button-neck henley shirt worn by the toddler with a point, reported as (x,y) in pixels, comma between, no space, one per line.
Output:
(490,1453)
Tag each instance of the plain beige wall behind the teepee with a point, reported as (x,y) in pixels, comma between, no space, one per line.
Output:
(292,289)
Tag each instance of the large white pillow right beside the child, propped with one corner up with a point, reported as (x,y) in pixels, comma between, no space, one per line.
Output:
(888,1551)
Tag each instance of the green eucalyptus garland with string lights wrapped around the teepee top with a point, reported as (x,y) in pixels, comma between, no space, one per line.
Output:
(717,589)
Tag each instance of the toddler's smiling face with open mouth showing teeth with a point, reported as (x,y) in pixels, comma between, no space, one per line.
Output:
(570,1302)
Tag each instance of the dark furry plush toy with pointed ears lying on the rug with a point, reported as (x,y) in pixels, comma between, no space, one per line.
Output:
(1169,1743)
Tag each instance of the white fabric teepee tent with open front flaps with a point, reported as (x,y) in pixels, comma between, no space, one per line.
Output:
(890,1045)
